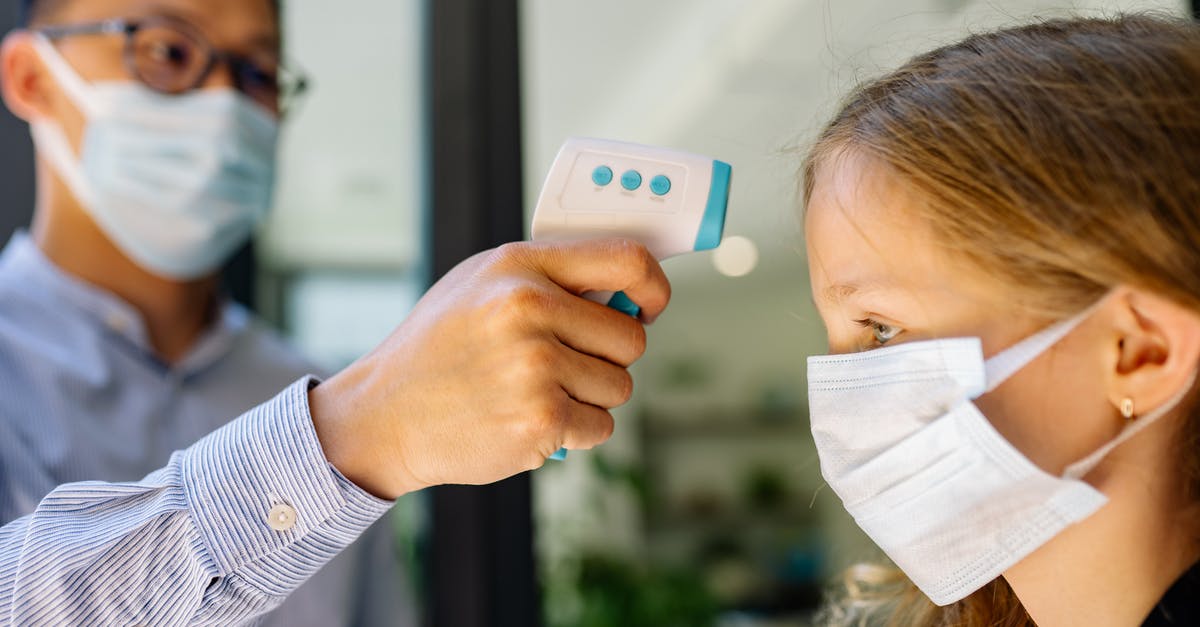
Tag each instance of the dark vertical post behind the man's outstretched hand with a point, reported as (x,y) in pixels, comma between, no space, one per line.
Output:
(481,562)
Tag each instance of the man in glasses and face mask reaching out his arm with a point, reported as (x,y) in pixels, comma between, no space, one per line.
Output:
(155,126)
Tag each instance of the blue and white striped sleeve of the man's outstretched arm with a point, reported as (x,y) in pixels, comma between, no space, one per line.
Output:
(220,536)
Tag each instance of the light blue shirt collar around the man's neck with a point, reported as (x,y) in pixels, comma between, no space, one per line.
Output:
(41,279)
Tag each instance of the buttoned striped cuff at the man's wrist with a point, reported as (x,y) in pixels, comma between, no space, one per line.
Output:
(268,505)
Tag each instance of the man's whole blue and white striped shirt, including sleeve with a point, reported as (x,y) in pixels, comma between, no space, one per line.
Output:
(217,534)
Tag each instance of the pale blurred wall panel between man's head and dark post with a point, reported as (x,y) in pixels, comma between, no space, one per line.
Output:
(352,159)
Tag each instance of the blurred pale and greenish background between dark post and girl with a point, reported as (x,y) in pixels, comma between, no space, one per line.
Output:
(709,506)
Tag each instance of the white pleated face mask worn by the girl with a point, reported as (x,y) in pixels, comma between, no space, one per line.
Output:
(926,475)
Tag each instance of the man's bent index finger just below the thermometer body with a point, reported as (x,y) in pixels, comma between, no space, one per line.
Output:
(611,265)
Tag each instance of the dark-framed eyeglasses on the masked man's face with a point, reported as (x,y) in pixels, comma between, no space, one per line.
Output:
(172,57)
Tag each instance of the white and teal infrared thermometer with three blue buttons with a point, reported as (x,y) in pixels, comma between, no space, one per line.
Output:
(673,202)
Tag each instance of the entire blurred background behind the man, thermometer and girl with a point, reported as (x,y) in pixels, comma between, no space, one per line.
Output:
(427,136)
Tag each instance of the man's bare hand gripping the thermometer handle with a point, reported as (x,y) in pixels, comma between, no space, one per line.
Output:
(497,367)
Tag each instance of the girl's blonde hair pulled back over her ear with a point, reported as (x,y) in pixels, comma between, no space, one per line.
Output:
(1063,158)
